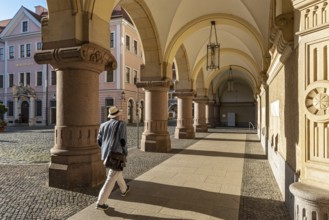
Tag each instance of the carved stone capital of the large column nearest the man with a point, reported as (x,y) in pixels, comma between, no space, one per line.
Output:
(89,54)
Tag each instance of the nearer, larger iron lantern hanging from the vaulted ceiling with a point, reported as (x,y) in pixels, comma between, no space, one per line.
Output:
(213,49)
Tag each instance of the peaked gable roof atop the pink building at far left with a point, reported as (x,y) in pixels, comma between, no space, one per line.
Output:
(35,18)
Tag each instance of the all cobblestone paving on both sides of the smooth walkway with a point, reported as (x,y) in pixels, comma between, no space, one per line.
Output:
(24,191)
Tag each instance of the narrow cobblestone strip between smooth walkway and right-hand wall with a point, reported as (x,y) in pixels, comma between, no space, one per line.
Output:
(260,195)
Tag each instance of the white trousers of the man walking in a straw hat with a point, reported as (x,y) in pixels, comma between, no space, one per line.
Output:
(112,177)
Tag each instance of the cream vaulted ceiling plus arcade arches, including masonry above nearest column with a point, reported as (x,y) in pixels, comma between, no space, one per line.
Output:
(177,31)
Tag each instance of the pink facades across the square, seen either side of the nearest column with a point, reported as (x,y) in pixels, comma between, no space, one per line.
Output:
(29,89)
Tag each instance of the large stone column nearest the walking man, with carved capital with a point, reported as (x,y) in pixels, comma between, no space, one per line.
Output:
(75,157)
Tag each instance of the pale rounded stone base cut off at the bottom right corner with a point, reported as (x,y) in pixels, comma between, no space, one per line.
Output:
(310,201)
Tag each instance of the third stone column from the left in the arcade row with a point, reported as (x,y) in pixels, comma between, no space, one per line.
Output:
(184,128)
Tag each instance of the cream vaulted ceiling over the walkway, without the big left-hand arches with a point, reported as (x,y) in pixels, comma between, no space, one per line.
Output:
(243,29)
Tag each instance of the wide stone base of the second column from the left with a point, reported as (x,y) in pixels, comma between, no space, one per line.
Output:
(156,143)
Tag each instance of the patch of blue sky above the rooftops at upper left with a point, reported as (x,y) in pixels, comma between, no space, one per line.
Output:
(10,7)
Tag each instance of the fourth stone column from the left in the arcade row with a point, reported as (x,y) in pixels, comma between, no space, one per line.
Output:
(200,114)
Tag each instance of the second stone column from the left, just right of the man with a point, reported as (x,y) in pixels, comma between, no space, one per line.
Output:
(155,137)
